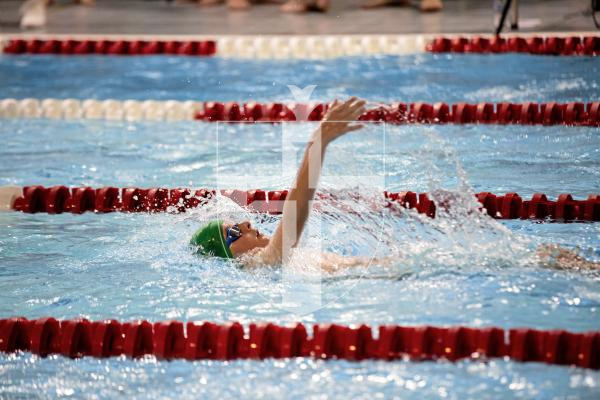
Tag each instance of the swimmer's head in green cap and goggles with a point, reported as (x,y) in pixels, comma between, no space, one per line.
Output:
(228,240)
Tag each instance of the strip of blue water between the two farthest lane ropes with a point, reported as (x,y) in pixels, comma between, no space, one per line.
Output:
(424,77)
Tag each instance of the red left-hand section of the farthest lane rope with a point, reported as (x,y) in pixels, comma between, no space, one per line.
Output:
(111,47)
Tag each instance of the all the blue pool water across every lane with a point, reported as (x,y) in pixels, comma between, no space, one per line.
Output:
(461,268)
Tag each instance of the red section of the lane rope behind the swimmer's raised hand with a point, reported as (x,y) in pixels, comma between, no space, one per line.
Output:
(551,113)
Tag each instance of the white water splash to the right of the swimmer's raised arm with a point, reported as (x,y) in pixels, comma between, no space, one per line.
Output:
(461,235)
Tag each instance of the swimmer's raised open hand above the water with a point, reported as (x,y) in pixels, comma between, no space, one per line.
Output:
(340,119)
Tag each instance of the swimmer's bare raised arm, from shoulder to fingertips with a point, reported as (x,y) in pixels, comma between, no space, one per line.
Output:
(339,120)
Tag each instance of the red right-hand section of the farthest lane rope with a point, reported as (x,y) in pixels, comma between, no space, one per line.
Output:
(556,46)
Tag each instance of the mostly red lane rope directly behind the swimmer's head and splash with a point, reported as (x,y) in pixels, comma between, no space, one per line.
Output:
(59,199)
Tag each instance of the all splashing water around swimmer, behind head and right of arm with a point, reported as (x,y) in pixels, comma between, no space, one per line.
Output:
(461,235)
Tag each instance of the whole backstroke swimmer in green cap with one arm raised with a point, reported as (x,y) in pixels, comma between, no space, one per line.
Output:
(246,244)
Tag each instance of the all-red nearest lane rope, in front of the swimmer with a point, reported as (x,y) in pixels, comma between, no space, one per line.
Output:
(206,340)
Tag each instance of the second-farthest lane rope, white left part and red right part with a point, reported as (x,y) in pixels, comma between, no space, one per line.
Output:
(552,113)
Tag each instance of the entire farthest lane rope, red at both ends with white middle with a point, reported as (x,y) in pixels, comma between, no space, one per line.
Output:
(303,47)
